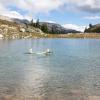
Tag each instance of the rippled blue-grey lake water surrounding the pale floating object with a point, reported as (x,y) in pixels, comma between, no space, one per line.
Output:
(71,72)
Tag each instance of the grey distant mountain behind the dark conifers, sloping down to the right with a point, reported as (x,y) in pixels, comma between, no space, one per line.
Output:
(56,28)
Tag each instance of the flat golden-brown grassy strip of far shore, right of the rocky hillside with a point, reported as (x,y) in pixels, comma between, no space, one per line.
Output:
(69,35)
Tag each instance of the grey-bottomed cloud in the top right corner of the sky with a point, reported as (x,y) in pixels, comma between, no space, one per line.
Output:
(89,6)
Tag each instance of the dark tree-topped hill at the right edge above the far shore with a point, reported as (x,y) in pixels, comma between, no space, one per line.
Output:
(93,28)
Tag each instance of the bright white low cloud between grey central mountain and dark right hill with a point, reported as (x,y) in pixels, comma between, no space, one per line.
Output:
(74,26)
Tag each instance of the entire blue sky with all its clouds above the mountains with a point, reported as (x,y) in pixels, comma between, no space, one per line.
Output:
(74,14)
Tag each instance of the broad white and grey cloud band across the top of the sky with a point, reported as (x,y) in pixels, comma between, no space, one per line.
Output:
(36,6)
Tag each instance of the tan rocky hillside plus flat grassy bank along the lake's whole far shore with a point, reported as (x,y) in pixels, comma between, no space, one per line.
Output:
(13,30)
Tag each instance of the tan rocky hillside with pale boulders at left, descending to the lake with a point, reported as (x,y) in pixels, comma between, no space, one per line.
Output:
(11,29)
